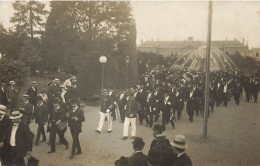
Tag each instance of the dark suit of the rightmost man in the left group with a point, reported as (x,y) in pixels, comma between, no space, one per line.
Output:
(75,128)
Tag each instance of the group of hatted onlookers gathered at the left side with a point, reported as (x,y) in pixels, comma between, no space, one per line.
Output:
(58,107)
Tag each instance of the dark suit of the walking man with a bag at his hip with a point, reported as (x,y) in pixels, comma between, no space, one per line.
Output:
(55,116)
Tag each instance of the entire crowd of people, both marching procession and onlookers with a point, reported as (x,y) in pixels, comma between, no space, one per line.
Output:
(160,96)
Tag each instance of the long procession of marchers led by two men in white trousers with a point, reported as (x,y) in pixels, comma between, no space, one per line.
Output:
(165,92)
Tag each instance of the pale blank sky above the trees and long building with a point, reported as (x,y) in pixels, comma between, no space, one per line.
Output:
(177,20)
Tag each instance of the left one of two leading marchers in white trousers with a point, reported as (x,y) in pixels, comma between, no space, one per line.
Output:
(105,112)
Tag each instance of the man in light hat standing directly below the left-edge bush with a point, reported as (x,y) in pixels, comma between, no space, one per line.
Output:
(12,95)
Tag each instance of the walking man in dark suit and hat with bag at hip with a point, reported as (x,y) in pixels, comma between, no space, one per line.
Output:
(57,116)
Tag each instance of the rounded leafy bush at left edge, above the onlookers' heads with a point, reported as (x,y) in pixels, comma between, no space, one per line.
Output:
(12,70)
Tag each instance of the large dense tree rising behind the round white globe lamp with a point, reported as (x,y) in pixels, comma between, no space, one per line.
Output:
(76,30)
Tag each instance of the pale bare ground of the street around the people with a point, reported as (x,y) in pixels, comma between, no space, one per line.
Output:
(233,139)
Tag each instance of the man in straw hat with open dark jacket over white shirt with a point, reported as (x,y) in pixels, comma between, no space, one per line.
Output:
(20,138)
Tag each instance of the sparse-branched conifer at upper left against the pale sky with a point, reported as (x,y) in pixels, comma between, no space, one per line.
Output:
(28,17)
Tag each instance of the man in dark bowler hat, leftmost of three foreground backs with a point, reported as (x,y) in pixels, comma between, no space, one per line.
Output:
(138,158)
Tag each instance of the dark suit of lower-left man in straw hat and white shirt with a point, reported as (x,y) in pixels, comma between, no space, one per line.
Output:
(23,142)
